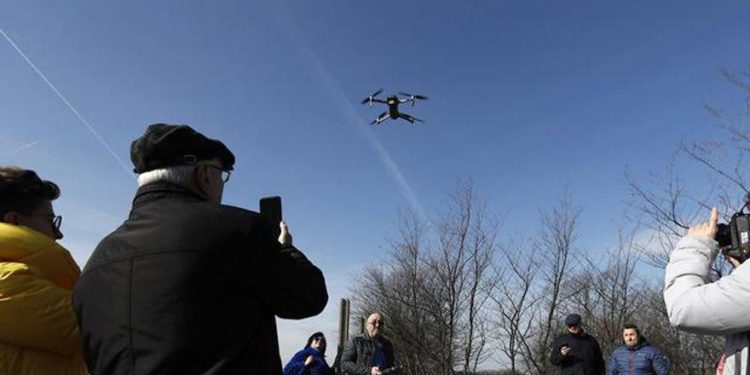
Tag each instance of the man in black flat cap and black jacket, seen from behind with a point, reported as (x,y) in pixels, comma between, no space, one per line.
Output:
(187,285)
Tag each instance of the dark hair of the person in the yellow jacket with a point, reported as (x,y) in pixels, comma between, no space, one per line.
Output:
(22,191)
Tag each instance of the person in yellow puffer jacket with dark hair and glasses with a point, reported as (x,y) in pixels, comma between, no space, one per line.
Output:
(38,328)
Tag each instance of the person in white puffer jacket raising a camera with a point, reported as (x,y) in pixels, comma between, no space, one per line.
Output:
(699,304)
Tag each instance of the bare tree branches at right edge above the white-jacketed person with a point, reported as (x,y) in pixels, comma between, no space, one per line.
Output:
(667,207)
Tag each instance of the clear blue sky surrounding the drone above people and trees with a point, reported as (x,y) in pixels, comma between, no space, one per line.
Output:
(528,99)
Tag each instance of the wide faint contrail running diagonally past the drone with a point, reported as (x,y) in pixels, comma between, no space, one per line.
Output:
(321,74)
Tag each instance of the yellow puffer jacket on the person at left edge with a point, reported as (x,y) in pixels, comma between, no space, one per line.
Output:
(38,328)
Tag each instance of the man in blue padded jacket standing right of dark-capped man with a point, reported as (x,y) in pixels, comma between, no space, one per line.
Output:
(636,356)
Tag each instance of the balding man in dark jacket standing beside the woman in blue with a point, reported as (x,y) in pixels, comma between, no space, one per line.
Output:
(371,353)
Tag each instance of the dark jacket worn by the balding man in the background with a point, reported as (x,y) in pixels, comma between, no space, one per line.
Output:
(358,357)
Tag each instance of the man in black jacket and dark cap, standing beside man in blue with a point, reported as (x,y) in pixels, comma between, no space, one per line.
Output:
(577,352)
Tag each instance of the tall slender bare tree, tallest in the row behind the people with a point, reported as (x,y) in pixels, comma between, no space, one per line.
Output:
(460,268)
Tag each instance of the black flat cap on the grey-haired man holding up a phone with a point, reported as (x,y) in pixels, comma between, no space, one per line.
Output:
(164,145)
